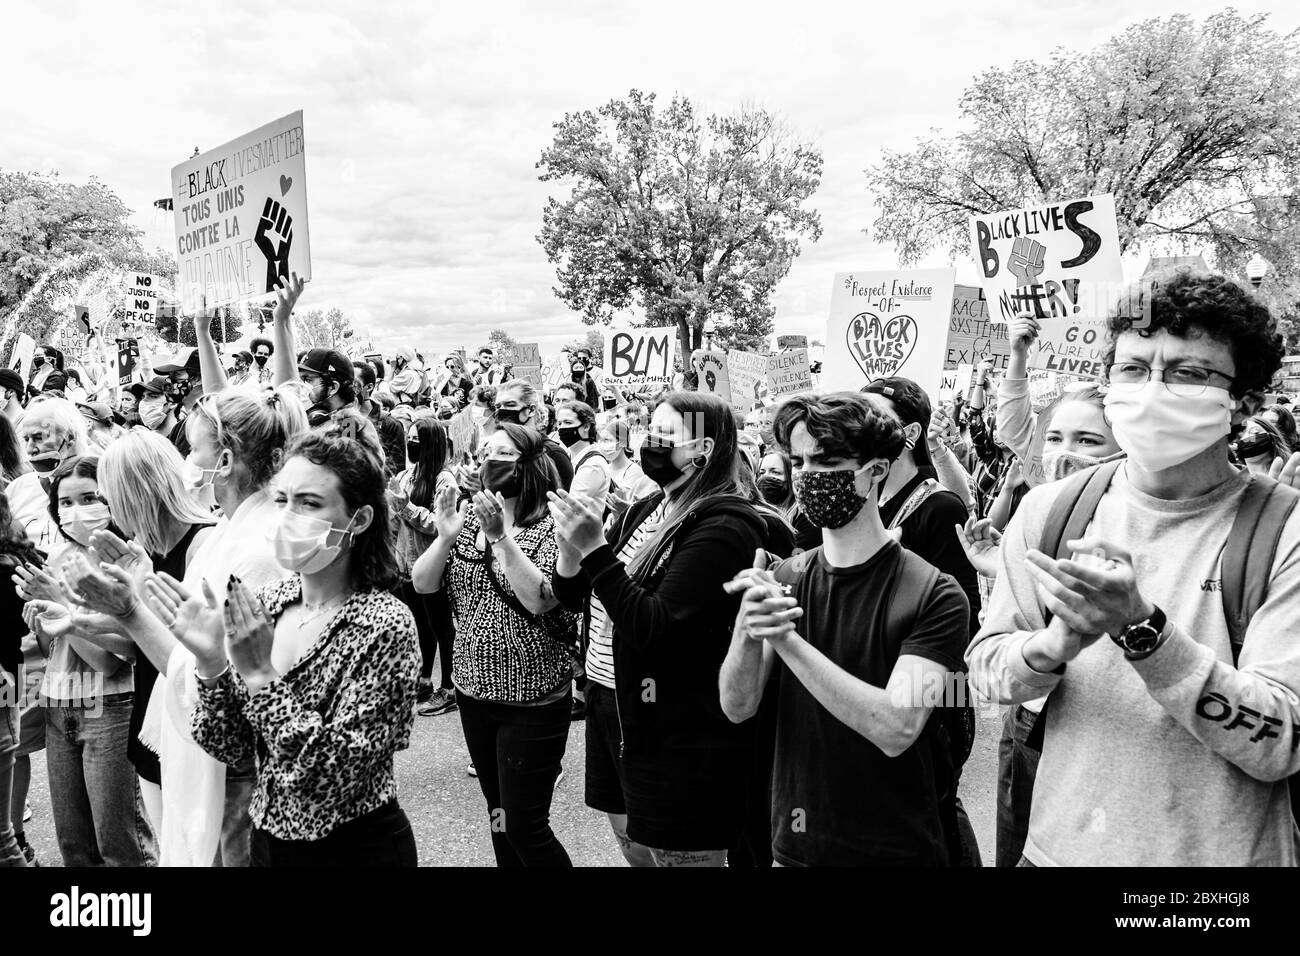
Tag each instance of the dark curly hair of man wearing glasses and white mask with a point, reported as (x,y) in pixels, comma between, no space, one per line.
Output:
(1184,300)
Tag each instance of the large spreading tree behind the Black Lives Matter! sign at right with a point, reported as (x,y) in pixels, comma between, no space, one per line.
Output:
(1194,128)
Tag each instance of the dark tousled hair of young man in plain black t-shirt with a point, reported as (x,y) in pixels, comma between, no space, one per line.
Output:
(844,425)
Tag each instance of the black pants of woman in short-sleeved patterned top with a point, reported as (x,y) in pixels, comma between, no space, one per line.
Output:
(518,752)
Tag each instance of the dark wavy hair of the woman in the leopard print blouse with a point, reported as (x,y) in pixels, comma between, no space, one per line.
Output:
(359,470)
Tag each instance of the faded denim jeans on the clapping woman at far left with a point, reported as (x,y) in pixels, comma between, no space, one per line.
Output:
(94,791)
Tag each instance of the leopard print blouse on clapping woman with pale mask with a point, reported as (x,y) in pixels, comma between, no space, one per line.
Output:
(324,734)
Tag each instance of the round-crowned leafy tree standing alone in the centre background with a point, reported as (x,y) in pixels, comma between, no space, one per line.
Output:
(684,219)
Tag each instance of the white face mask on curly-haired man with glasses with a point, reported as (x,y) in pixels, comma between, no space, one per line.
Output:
(1160,430)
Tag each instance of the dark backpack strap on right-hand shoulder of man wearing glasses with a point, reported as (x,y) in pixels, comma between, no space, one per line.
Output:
(1253,546)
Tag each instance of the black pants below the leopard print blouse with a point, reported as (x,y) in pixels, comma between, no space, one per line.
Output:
(382,838)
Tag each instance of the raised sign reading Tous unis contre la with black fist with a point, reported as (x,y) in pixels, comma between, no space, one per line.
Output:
(241,217)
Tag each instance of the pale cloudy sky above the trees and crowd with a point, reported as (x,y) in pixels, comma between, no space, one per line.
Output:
(424,122)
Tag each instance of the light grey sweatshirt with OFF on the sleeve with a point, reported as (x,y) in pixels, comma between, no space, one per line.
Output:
(1178,760)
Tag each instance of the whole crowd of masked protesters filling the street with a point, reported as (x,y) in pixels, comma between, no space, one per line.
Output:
(231,590)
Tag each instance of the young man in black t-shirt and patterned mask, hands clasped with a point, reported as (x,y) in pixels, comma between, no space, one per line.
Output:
(869,639)
